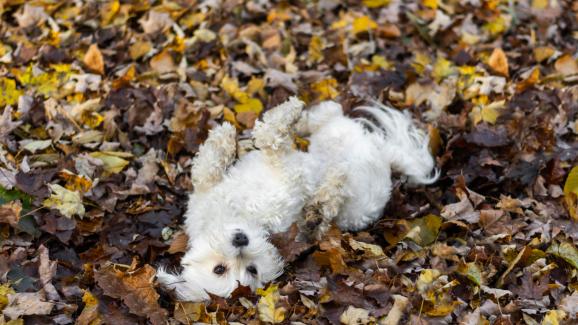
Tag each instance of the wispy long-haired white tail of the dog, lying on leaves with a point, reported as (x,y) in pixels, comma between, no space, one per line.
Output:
(406,146)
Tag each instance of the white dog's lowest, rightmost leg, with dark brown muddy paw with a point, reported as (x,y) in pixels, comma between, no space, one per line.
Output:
(325,204)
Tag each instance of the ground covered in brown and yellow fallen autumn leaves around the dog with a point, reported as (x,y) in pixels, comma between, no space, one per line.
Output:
(104,104)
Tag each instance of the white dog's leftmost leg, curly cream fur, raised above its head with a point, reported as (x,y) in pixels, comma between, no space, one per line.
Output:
(214,156)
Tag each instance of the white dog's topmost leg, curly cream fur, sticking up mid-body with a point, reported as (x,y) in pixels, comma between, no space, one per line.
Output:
(273,134)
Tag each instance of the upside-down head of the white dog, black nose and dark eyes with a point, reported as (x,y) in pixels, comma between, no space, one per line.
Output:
(221,258)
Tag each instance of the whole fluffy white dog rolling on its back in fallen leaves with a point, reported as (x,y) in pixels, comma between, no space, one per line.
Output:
(345,177)
